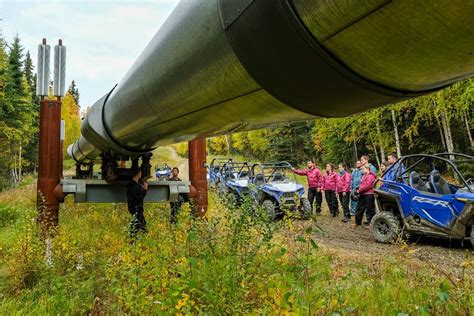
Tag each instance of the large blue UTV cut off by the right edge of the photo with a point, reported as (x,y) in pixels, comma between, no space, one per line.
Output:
(427,195)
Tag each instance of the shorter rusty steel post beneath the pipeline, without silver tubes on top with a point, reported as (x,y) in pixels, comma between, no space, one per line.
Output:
(197,175)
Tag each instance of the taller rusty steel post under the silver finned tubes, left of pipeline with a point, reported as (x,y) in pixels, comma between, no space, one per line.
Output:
(49,171)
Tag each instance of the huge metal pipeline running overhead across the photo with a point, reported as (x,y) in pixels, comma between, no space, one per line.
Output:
(222,66)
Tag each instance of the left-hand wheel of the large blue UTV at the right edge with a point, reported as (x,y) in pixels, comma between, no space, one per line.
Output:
(385,227)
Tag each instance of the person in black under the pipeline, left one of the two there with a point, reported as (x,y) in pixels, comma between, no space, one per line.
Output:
(136,192)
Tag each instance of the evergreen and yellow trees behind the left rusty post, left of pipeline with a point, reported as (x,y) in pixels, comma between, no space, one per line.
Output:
(19,113)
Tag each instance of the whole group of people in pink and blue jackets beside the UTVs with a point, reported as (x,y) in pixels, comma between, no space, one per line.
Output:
(352,190)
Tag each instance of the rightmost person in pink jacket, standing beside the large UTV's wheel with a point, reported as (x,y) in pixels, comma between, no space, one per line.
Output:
(366,199)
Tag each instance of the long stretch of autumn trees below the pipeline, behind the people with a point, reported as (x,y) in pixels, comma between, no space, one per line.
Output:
(438,122)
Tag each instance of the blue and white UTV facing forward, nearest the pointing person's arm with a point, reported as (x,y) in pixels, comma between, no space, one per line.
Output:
(278,191)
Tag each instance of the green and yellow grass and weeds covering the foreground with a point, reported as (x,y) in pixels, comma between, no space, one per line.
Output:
(233,263)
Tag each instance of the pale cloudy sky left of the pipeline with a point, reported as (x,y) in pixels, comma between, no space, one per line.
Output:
(103,37)
